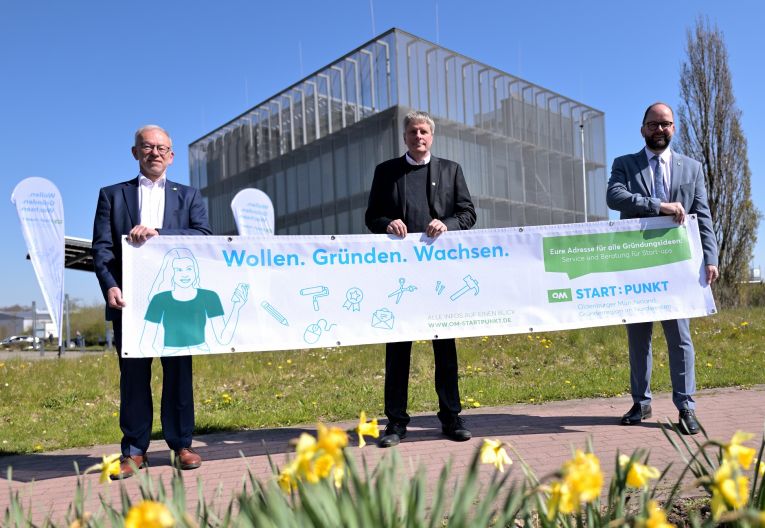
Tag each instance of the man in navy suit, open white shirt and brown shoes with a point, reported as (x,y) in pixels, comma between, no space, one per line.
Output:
(148,205)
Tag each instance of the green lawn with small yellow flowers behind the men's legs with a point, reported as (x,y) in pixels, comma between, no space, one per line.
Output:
(55,404)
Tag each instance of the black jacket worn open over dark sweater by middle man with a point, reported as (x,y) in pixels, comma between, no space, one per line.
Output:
(448,195)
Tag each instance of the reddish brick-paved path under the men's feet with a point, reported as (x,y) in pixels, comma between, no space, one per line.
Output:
(542,434)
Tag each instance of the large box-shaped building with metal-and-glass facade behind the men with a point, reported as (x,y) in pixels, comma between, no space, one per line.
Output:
(314,146)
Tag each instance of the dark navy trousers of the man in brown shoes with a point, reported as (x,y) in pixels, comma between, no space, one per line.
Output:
(136,408)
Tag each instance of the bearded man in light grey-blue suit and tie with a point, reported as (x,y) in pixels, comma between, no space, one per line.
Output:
(659,181)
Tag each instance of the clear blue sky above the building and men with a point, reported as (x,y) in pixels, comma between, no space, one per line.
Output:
(79,77)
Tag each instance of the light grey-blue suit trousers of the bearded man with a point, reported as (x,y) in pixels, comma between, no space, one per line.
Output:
(681,361)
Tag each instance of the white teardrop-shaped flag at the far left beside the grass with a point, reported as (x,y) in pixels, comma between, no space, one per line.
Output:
(41,213)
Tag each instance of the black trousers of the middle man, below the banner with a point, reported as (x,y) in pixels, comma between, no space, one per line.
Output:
(397,360)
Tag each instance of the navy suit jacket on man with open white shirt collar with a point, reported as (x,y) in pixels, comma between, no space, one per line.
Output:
(117,213)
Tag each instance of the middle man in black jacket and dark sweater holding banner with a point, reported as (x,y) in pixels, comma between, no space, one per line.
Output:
(420,193)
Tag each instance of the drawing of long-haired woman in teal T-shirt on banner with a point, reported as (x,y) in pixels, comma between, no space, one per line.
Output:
(183,308)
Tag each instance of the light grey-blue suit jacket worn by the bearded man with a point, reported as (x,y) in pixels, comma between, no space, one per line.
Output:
(629,192)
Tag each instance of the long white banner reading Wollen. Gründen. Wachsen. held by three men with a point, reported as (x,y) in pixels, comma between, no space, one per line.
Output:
(191,295)
